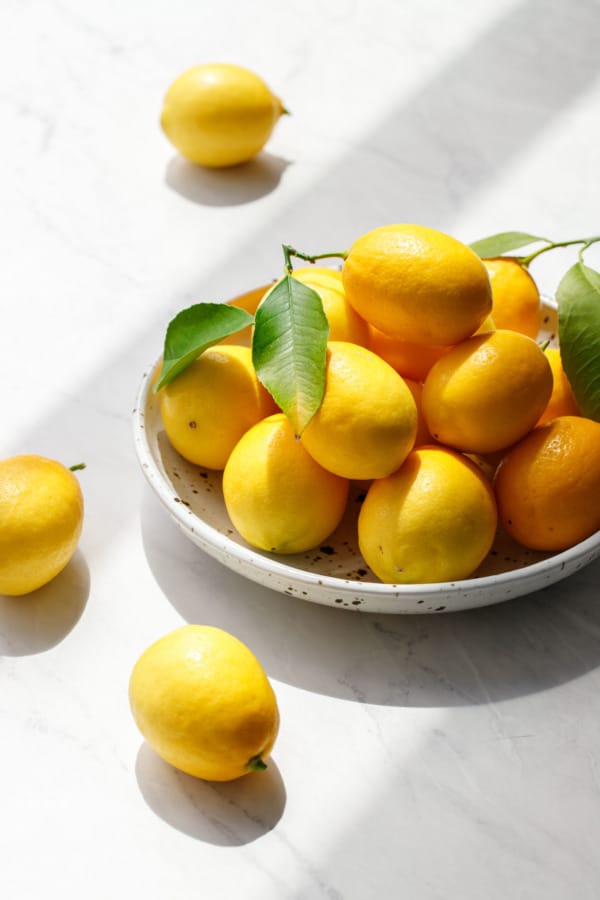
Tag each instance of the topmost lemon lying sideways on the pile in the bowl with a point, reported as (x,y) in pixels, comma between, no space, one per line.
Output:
(418,284)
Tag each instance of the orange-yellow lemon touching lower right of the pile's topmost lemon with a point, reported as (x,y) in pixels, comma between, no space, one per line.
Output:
(487,392)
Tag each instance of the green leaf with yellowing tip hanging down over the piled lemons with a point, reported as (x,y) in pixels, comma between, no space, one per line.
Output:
(289,349)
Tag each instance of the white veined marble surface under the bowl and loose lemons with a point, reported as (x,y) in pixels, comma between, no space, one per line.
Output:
(425,757)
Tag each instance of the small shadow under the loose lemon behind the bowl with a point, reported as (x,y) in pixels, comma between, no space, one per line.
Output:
(225,187)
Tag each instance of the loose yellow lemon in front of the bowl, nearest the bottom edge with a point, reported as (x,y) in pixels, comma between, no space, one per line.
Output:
(203,702)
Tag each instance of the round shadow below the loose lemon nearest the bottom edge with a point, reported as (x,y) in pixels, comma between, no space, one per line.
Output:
(228,813)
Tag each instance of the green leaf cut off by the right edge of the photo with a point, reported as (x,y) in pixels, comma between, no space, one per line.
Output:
(578,297)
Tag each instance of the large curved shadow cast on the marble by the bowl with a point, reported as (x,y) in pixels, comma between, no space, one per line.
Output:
(486,655)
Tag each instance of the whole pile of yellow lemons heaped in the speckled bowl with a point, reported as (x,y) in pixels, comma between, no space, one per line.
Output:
(438,399)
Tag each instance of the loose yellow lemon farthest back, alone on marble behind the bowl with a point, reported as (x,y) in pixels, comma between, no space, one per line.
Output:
(219,115)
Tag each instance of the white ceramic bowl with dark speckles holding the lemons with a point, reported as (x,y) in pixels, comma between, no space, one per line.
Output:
(334,574)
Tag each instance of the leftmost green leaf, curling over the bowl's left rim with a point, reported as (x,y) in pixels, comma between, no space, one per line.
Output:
(195,329)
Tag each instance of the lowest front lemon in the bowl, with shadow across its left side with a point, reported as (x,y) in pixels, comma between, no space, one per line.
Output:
(433,520)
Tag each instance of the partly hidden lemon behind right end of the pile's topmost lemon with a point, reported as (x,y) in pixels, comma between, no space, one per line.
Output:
(516,303)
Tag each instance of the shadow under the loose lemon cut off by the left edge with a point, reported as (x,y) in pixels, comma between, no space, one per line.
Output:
(40,620)
